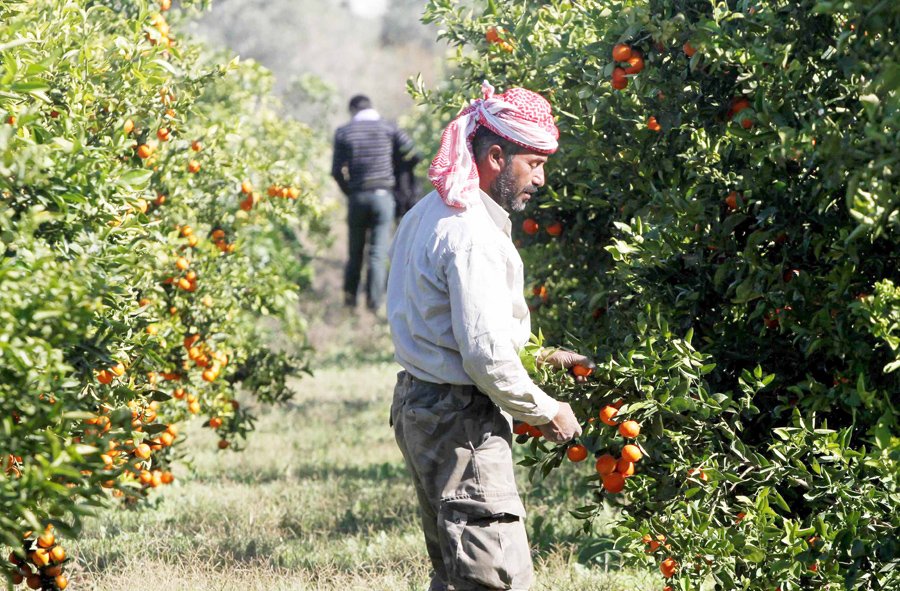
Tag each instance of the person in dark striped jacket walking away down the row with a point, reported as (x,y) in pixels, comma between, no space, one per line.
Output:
(364,152)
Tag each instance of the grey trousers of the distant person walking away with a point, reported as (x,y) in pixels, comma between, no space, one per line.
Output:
(370,214)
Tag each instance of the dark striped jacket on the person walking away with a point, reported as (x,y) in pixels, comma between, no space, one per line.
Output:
(364,152)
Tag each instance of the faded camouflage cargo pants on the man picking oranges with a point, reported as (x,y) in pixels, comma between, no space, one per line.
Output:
(456,444)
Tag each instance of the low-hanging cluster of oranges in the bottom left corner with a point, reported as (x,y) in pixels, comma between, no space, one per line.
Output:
(40,564)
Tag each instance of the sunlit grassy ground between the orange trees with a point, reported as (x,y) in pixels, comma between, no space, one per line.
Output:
(318,500)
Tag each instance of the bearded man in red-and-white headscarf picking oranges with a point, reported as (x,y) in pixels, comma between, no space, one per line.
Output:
(458,319)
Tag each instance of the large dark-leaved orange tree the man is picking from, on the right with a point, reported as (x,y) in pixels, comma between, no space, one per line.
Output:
(721,230)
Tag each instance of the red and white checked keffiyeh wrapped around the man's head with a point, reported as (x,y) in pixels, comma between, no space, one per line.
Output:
(518,115)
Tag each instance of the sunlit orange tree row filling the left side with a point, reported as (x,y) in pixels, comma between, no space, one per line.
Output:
(149,199)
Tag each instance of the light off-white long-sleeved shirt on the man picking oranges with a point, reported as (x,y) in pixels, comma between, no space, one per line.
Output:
(456,304)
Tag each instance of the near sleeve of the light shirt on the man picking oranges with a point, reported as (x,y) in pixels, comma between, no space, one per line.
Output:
(481,321)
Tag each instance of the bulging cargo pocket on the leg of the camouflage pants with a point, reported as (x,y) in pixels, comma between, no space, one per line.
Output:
(485,544)
